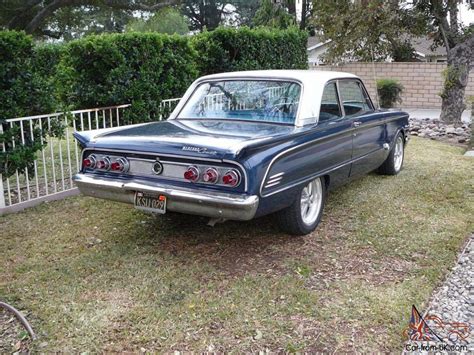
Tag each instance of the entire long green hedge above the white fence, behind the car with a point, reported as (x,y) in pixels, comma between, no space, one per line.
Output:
(137,68)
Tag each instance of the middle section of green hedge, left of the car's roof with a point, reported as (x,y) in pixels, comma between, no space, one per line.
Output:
(137,68)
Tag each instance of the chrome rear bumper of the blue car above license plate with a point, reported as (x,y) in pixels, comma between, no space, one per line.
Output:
(183,200)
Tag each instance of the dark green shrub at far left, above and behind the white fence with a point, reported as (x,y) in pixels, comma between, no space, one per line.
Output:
(24,92)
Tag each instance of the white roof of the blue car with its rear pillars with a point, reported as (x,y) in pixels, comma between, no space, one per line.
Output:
(312,81)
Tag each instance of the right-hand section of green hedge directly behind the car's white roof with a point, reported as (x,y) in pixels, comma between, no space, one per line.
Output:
(228,49)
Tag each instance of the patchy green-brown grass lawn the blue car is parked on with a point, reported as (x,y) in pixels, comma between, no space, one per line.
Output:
(95,275)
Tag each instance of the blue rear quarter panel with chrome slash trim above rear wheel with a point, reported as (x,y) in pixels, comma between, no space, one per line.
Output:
(277,172)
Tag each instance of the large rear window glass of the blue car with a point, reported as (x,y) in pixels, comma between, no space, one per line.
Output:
(253,100)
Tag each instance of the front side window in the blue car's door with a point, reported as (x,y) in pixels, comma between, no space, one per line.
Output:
(354,98)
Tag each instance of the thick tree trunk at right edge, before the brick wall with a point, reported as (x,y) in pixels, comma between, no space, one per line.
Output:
(460,61)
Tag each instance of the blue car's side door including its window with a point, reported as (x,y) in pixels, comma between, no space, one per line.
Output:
(368,127)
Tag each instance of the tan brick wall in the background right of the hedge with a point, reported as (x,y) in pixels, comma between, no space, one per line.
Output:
(422,81)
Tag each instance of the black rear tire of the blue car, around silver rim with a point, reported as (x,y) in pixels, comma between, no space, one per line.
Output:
(290,219)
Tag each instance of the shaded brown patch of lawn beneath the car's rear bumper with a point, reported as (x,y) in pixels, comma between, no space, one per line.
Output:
(231,247)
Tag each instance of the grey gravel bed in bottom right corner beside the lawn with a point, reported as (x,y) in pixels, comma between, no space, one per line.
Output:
(453,303)
